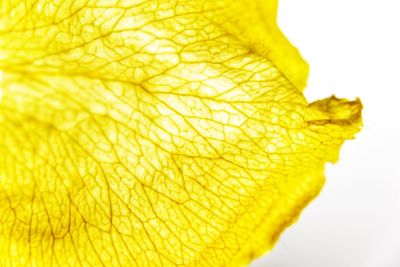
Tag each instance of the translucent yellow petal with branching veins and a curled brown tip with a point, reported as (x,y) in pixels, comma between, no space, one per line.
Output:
(155,133)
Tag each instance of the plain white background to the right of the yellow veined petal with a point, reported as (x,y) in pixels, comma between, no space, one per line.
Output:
(353,48)
